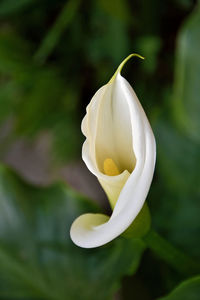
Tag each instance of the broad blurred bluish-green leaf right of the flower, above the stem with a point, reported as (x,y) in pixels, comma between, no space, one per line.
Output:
(178,188)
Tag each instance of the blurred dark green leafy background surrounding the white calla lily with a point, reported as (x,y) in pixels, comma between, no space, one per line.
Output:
(54,55)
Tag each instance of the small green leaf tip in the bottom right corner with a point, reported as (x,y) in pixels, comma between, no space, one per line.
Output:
(187,290)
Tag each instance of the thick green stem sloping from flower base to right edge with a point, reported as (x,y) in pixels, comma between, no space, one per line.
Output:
(174,257)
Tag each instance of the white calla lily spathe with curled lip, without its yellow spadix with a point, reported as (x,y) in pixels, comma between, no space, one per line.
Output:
(116,127)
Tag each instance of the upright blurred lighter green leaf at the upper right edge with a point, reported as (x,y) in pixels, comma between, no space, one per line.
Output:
(186,104)
